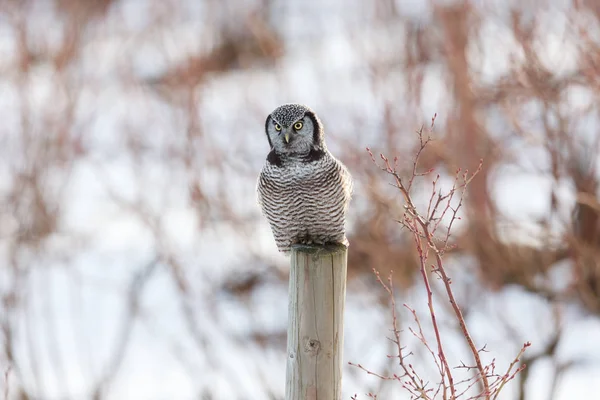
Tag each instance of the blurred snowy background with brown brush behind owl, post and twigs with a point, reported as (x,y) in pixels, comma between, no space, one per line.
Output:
(134,262)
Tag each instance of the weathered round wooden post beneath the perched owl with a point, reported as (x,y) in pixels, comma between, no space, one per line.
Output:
(316,323)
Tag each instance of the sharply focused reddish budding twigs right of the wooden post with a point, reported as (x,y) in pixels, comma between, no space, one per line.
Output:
(423,227)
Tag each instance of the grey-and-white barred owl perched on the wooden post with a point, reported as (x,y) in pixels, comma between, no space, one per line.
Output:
(303,190)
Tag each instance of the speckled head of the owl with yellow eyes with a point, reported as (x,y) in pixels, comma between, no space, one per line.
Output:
(294,129)
